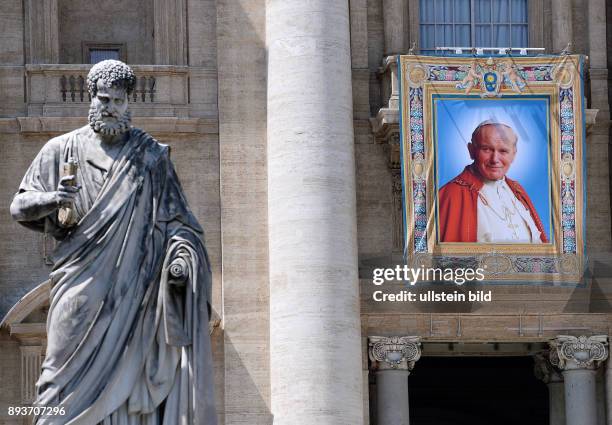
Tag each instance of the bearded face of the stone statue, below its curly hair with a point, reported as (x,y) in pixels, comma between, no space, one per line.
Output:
(108,113)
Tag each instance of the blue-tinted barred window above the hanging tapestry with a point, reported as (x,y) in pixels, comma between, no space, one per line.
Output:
(473,23)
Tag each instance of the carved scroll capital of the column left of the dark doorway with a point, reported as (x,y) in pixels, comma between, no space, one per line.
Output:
(395,352)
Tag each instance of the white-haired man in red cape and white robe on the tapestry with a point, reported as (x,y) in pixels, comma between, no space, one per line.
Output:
(482,204)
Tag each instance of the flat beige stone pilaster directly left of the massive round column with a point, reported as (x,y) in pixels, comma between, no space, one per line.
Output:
(242,85)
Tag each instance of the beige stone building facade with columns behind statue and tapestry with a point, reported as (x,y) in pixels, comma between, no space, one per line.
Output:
(282,116)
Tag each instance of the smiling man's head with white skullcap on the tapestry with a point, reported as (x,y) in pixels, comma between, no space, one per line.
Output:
(493,152)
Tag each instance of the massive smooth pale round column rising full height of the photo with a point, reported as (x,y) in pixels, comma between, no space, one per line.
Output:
(315,356)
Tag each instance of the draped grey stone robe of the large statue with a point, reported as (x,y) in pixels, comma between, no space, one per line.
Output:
(125,344)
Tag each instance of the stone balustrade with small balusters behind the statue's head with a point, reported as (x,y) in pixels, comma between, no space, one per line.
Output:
(60,90)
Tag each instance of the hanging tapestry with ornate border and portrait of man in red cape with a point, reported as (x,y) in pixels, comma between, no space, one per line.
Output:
(493,173)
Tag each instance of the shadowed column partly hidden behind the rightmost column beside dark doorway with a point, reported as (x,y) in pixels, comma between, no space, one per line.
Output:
(552,377)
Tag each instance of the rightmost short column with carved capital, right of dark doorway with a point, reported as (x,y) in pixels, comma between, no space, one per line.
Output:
(579,357)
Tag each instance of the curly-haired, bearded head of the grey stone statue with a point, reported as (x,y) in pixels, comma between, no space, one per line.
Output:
(110,82)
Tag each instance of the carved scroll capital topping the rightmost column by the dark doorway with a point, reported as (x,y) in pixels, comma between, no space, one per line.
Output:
(582,352)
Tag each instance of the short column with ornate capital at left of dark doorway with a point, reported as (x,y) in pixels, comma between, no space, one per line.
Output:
(393,358)
